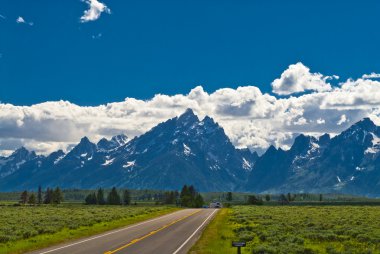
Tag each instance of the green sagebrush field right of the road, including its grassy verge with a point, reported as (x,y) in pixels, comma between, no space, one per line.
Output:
(294,229)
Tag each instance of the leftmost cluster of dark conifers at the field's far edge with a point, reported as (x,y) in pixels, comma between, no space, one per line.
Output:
(50,196)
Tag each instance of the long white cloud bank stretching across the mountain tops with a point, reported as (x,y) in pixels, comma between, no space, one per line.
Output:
(308,104)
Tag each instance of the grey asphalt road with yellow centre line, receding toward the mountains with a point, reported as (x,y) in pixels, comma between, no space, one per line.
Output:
(174,233)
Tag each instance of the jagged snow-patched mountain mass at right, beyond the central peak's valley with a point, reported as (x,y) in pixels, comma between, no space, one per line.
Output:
(347,163)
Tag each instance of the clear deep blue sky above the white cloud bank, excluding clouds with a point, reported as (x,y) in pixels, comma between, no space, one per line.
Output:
(169,47)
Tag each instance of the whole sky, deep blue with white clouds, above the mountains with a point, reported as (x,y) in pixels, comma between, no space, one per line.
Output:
(265,70)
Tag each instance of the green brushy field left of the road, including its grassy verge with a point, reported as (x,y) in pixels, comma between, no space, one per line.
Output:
(24,228)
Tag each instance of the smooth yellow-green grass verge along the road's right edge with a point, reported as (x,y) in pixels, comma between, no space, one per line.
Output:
(216,238)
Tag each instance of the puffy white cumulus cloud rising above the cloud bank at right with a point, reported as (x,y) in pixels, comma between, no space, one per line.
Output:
(298,78)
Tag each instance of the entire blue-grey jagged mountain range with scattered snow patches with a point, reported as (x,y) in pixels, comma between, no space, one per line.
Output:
(187,150)
